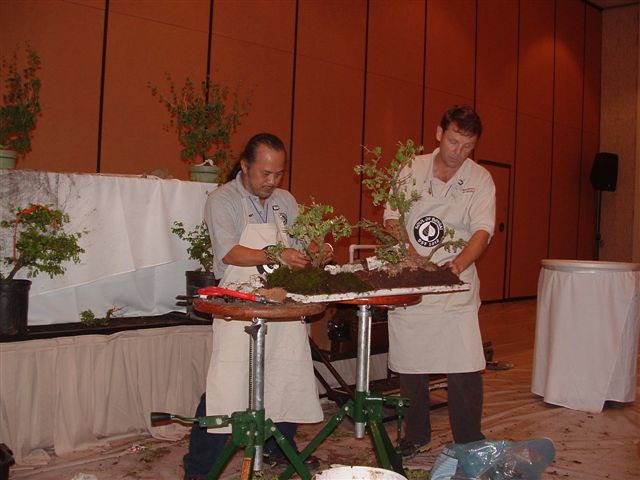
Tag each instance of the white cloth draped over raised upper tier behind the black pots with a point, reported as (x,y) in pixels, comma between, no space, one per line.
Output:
(131,260)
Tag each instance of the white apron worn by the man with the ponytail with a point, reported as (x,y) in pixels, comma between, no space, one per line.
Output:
(290,391)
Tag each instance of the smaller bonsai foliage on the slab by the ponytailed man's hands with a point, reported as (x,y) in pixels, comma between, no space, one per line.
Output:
(312,227)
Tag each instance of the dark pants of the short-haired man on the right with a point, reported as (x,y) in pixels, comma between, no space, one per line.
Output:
(465,407)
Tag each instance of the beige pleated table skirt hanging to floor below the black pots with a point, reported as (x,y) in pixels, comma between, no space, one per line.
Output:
(72,393)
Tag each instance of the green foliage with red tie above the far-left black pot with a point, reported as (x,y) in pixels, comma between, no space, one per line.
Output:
(40,243)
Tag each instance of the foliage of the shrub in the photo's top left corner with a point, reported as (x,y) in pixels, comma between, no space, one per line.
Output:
(20,88)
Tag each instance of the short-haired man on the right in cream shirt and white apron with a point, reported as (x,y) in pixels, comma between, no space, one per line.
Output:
(442,333)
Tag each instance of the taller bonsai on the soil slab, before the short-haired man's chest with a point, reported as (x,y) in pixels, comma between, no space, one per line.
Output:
(391,186)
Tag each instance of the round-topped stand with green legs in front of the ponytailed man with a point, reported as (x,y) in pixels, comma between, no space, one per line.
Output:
(249,428)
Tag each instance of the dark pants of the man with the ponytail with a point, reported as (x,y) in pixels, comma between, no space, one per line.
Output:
(205,448)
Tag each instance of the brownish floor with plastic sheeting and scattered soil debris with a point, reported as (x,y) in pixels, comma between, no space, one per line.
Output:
(588,446)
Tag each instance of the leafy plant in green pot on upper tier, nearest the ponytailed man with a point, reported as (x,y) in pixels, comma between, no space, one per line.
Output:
(205,116)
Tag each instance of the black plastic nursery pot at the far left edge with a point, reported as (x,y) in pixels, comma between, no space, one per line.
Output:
(14,306)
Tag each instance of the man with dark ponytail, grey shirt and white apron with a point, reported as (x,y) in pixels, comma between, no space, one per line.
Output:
(246,216)
